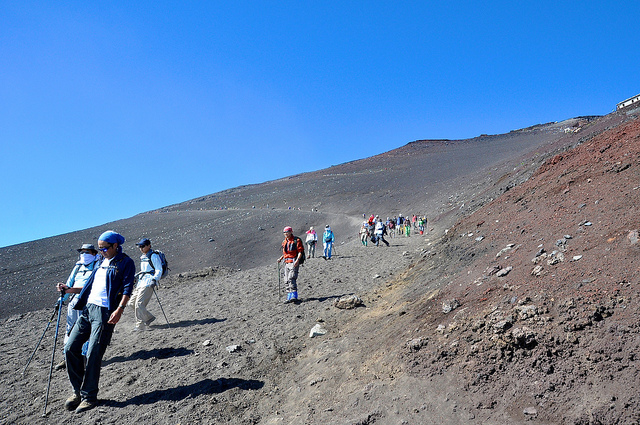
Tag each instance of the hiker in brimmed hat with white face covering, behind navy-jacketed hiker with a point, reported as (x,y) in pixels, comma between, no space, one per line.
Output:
(79,275)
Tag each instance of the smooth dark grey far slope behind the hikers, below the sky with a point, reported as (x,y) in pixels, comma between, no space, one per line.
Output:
(240,228)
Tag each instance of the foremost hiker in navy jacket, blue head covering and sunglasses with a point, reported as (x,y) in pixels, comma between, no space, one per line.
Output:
(102,301)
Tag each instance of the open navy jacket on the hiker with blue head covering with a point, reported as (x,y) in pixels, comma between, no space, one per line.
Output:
(119,281)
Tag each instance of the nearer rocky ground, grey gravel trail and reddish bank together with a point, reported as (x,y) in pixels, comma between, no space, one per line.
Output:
(454,329)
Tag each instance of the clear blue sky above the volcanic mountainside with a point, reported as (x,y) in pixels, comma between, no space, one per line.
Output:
(211,95)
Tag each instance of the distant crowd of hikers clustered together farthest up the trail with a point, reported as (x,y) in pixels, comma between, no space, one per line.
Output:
(374,229)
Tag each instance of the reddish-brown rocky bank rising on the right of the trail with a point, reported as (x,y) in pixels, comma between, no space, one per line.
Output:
(545,296)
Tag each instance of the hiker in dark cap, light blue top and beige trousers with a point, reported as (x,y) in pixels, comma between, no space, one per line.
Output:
(148,278)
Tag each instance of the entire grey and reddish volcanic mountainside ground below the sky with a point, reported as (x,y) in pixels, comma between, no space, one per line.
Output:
(441,337)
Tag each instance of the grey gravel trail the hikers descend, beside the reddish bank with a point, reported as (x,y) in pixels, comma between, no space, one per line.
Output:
(168,376)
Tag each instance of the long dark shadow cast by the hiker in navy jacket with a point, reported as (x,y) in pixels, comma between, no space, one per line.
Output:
(206,386)
